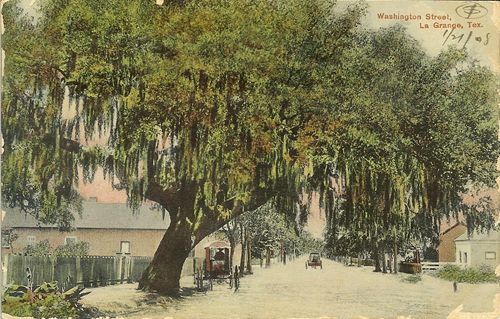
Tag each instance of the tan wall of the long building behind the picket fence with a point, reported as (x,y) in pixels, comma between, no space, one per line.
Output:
(103,242)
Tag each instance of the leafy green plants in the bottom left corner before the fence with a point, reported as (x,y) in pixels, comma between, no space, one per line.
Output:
(44,301)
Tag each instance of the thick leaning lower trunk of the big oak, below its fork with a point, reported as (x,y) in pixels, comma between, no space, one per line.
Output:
(164,272)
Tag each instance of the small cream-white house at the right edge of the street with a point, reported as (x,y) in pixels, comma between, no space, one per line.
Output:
(478,249)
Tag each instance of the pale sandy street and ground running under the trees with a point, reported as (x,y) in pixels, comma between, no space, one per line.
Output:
(291,291)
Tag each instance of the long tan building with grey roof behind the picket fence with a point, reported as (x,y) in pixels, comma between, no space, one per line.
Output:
(110,229)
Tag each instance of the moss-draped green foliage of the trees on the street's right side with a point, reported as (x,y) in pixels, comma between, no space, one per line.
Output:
(407,146)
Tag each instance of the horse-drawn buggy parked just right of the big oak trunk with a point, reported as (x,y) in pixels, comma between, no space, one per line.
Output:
(217,266)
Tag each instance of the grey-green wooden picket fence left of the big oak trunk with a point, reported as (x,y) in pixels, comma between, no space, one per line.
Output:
(89,271)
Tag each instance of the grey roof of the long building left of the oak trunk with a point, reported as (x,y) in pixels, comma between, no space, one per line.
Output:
(96,215)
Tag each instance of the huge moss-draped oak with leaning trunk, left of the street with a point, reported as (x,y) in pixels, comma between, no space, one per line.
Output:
(200,104)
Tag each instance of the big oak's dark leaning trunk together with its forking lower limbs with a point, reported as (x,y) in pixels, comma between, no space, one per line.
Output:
(163,274)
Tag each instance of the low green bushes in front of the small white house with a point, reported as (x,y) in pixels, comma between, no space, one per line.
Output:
(468,275)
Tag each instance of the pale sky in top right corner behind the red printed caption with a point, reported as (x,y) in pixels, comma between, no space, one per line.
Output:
(480,28)
